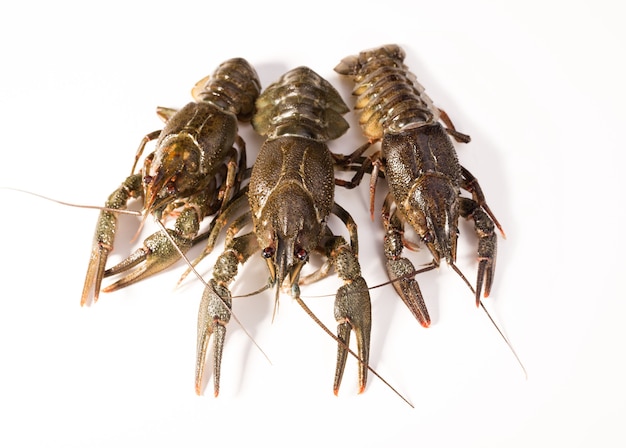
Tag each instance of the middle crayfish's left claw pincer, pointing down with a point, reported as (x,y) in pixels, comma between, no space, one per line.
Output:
(214,314)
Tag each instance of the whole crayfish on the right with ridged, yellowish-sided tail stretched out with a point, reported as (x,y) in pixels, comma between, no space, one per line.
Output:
(419,162)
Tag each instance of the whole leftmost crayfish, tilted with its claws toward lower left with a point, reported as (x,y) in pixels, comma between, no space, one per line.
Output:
(198,164)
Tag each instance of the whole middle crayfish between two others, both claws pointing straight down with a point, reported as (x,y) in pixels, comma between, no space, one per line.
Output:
(291,196)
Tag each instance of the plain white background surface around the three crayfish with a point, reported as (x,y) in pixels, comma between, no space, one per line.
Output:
(538,86)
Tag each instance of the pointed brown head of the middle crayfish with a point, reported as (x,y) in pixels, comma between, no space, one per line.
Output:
(288,230)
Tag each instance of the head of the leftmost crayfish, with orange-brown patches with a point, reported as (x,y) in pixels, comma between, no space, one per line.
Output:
(170,172)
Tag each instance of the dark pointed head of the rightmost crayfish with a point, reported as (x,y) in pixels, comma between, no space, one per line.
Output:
(432,208)
